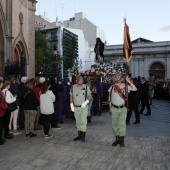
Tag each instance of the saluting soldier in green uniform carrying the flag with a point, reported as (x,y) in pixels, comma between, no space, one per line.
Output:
(117,107)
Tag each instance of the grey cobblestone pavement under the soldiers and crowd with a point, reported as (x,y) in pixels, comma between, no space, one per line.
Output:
(147,146)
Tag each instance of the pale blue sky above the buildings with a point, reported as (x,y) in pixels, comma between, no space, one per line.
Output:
(149,19)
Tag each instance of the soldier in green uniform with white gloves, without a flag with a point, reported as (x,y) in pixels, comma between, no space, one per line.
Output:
(80,96)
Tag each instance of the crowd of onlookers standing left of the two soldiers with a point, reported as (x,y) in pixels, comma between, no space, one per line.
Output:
(33,103)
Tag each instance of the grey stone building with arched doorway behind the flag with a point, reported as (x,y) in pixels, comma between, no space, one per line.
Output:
(149,58)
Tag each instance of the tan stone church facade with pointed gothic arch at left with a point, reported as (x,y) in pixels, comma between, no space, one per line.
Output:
(17,37)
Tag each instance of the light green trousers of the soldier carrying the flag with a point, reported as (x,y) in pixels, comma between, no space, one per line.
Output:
(119,121)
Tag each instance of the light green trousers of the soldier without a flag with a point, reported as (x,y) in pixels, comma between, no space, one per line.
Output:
(81,118)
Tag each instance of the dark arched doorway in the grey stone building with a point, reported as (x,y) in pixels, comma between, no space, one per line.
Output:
(157,70)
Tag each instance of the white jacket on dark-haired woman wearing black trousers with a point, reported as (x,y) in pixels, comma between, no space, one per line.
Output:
(46,102)
